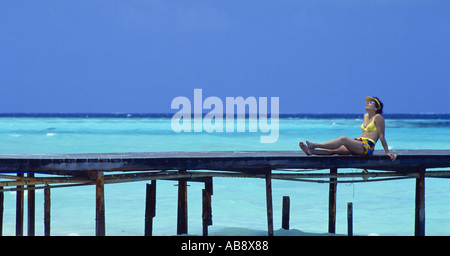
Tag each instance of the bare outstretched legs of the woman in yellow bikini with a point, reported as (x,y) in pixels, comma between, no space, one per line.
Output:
(341,146)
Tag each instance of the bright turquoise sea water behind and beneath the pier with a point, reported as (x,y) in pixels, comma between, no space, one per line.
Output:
(384,208)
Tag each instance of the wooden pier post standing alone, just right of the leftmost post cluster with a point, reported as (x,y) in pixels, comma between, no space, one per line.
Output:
(100,205)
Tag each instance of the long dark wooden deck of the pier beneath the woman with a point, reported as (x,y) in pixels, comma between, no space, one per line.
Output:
(220,160)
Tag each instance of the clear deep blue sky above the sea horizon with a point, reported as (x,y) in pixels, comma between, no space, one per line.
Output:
(137,56)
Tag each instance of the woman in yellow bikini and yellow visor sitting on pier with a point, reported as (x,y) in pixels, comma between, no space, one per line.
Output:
(372,130)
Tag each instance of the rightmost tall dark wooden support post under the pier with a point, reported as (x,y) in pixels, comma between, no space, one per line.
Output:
(419,227)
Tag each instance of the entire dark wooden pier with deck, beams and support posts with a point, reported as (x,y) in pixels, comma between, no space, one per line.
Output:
(21,172)
